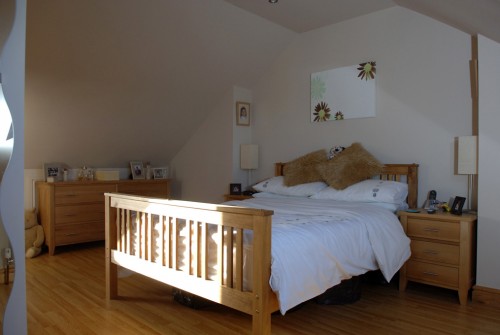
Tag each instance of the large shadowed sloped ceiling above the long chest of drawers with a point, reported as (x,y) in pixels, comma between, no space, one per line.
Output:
(120,80)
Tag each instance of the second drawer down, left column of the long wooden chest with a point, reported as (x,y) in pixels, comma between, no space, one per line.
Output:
(79,213)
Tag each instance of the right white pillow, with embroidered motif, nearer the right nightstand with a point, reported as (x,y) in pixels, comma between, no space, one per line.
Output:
(371,190)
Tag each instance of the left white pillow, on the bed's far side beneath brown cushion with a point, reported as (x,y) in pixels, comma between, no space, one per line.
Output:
(276,185)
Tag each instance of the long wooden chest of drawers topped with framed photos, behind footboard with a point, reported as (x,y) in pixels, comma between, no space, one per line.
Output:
(73,212)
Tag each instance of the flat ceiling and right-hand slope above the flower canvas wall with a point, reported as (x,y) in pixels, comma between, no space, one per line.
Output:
(470,16)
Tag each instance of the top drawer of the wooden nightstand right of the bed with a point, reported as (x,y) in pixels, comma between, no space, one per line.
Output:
(434,229)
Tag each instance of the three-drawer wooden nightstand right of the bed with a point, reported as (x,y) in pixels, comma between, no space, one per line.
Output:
(443,251)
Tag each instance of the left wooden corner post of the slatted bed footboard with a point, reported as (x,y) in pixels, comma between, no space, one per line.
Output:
(110,235)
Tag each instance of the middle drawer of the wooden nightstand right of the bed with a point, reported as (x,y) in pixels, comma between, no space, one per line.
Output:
(436,252)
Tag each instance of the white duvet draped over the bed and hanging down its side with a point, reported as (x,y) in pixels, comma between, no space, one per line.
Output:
(318,243)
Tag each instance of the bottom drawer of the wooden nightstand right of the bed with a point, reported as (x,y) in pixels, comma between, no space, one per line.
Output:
(431,273)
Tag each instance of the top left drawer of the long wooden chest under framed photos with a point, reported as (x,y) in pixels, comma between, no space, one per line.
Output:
(76,194)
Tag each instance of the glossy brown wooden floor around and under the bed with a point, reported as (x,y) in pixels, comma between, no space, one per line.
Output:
(65,295)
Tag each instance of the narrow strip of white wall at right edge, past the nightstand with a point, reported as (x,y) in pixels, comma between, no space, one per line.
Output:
(488,263)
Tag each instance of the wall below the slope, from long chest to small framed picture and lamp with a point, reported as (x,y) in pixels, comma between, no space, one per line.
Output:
(204,168)
